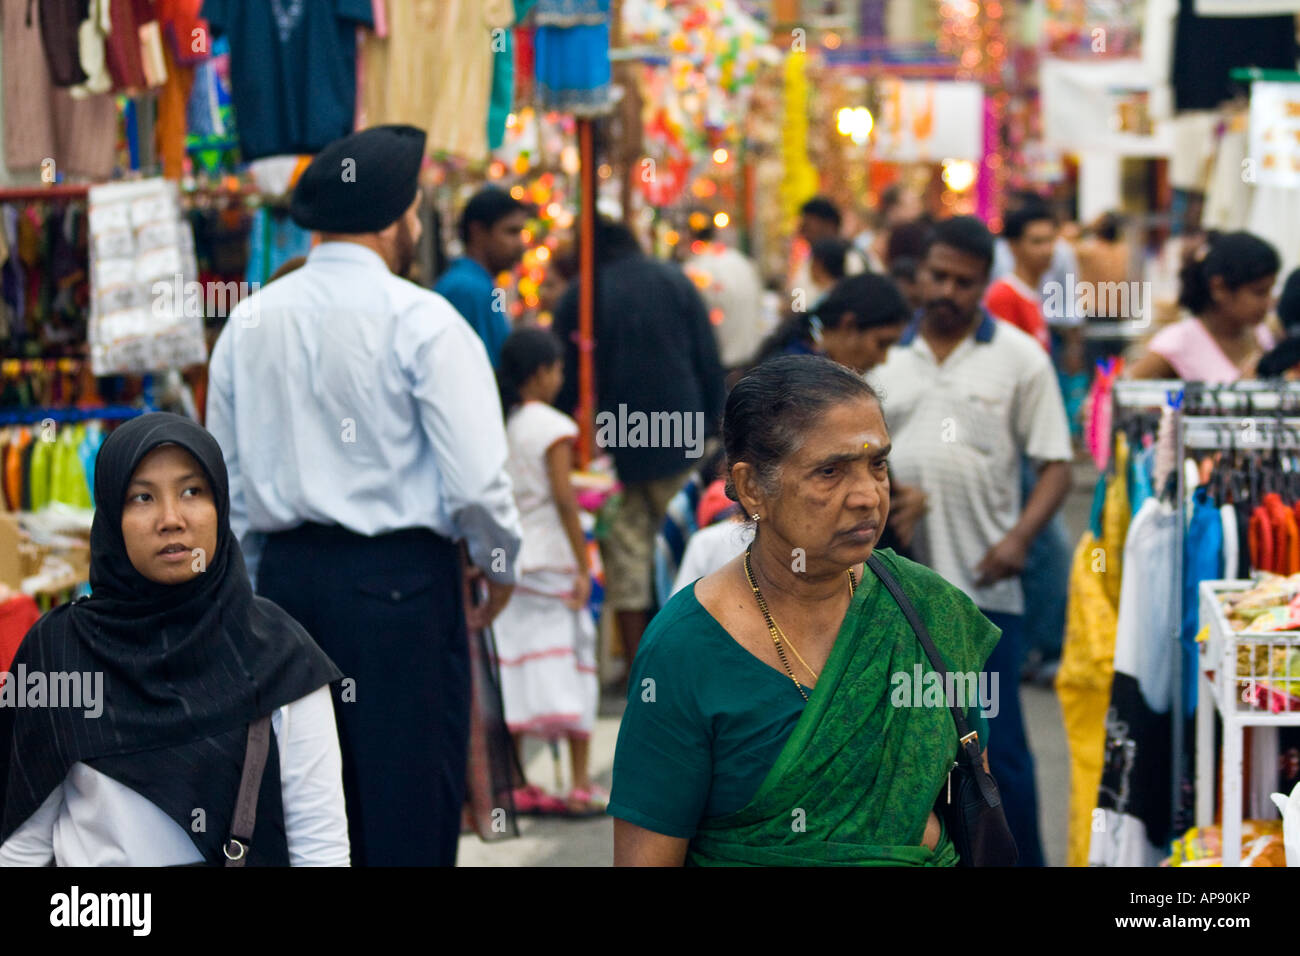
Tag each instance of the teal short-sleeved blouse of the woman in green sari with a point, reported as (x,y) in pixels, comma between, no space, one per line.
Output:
(704,725)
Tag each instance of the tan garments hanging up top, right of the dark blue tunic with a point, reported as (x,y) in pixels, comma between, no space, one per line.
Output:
(435,71)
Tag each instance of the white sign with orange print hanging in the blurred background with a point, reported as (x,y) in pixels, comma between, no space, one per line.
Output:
(930,122)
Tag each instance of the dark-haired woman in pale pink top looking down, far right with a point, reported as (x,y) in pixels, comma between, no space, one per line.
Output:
(1228,291)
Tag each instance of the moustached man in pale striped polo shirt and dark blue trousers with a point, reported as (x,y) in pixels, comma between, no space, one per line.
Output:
(967,397)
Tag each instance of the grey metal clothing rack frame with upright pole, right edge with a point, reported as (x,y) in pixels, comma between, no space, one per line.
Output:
(1201,431)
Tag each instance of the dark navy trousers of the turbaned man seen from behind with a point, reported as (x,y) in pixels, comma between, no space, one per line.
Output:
(388,611)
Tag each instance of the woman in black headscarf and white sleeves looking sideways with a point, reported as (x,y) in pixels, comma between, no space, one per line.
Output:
(138,759)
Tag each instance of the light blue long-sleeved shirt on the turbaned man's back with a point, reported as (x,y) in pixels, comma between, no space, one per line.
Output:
(344,395)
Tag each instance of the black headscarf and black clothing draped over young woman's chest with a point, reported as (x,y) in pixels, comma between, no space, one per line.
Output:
(187,668)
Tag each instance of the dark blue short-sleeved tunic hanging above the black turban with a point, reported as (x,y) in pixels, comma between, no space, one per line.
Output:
(293,67)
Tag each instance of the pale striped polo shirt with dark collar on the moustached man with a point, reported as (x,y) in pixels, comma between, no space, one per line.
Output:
(960,431)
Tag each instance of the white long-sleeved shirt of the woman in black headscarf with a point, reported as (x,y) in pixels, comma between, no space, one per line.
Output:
(92,820)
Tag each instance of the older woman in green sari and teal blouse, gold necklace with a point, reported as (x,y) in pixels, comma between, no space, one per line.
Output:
(772,715)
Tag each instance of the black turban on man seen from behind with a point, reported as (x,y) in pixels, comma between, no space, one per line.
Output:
(362,183)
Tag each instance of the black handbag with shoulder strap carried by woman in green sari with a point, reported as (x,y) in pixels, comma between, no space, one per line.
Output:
(973,808)
